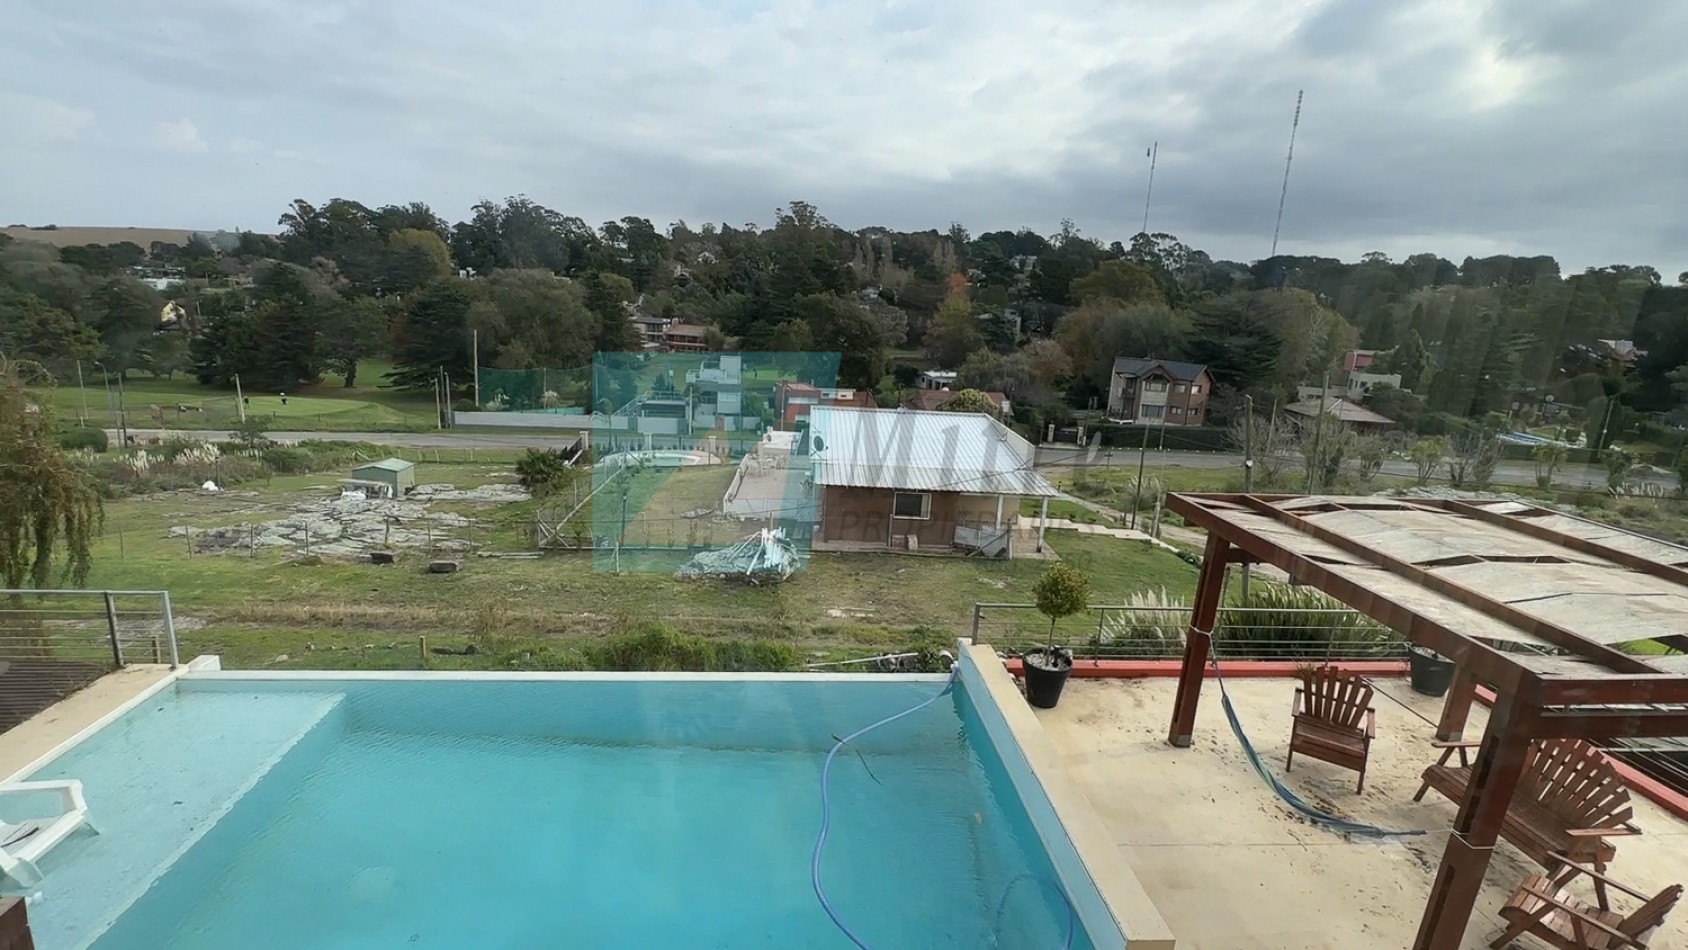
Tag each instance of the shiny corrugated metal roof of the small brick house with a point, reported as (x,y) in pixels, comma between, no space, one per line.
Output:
(922,451)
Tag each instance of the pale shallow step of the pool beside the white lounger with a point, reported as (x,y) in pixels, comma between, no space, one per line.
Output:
(180,764)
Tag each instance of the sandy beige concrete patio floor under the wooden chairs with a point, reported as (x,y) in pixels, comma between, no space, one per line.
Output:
(1231,870)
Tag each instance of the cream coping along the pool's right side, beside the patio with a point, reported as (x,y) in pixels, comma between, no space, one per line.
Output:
(1130,905)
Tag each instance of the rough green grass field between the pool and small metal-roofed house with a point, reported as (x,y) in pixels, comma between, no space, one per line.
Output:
(360,615)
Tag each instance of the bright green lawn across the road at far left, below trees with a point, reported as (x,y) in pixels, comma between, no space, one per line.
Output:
(327,406)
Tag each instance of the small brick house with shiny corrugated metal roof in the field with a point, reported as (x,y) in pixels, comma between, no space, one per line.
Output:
(911,480)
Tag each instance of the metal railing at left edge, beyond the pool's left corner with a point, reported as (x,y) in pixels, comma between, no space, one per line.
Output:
(100,629)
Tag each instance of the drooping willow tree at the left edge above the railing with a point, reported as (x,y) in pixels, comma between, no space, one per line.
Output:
(50,510)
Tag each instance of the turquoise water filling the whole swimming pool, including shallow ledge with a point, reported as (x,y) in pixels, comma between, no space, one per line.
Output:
(548,814)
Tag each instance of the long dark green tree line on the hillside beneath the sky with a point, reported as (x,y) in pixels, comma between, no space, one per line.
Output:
(1037,316)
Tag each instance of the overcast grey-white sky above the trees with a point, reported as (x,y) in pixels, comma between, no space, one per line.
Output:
(1461,127)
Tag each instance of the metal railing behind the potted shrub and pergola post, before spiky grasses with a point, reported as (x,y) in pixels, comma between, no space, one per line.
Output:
(1133,632)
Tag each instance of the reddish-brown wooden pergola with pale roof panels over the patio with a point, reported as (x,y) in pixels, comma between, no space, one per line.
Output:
(1527,602)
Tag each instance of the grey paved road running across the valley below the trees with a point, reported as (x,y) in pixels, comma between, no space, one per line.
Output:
(1049,456)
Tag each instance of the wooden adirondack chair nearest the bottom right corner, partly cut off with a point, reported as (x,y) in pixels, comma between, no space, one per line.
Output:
(1544,909)
